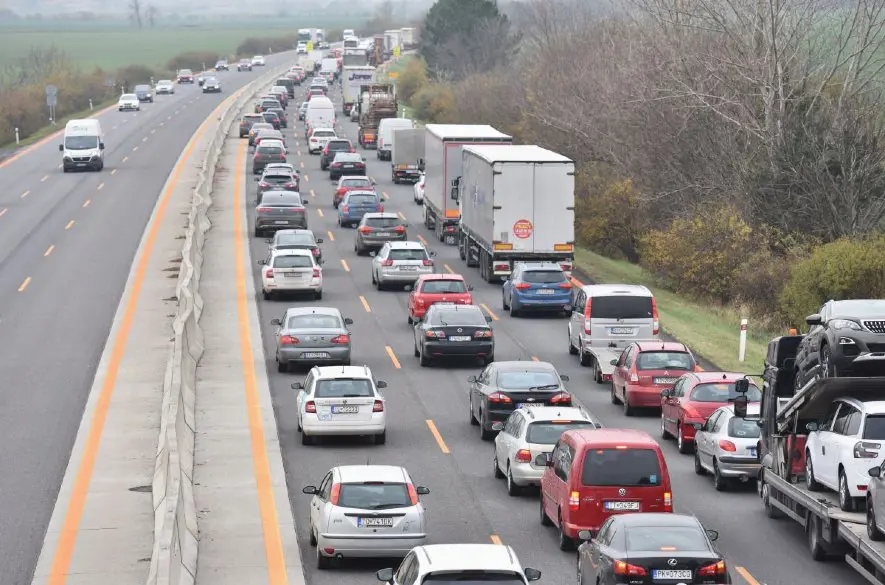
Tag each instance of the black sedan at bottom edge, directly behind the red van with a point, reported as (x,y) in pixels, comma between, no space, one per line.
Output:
(651,548)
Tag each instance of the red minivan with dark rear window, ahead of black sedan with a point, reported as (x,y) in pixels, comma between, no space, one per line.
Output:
(595,473)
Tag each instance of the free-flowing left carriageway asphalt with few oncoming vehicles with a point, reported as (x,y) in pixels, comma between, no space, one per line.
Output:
(67,241)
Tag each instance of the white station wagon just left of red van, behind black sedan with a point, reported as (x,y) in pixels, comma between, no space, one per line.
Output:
(528,433)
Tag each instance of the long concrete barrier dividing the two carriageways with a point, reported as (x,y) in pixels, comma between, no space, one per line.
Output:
(174,559)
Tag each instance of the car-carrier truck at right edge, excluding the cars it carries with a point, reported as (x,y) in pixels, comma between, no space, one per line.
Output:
(785,419)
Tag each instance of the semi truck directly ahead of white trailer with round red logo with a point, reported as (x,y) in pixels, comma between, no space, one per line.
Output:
(442,162)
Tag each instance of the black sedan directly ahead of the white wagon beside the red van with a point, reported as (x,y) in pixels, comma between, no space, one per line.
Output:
(505,386)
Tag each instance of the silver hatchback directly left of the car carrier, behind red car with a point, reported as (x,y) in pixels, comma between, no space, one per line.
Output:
(726,446)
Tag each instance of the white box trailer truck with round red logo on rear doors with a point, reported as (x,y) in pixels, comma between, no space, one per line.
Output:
(517,205)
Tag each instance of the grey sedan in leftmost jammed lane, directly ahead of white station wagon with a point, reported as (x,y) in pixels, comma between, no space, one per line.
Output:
(312,335)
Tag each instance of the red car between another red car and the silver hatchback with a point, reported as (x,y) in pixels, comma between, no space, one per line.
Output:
(695,396)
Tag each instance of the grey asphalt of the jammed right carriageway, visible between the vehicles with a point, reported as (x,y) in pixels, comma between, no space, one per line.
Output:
(428,428)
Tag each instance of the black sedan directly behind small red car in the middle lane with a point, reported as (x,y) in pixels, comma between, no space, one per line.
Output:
(454,331)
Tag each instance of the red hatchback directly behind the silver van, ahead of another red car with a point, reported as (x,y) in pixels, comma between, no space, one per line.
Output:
(646,368)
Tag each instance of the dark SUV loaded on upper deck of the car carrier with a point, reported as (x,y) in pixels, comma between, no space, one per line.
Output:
(846,338)
